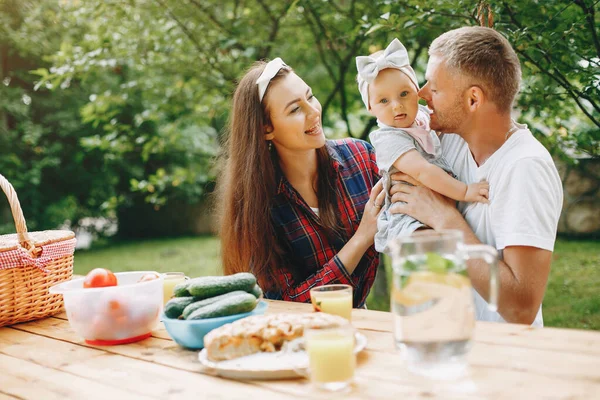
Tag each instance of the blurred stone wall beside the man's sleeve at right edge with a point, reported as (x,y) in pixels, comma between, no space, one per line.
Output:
(581,208)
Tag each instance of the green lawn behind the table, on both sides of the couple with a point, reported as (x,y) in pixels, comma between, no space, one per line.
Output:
(572,297)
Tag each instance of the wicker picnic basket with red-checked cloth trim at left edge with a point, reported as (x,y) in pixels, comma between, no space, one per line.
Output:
(29,264)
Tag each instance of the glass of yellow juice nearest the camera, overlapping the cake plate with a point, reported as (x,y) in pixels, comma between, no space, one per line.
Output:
(331,358)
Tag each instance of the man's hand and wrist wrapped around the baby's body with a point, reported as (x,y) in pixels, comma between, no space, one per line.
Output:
(422,203)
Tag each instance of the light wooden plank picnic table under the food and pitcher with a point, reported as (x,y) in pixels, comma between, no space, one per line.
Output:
(46,360)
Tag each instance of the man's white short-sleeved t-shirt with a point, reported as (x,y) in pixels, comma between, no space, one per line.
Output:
(525,198)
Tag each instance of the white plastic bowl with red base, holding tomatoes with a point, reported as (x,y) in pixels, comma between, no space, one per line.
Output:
(113,315)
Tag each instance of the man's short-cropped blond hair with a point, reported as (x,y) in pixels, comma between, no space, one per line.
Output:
(486,58)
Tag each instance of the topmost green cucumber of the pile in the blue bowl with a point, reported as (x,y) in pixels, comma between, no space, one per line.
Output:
(211,286)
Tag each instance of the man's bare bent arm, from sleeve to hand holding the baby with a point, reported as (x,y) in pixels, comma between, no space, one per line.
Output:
(523,273)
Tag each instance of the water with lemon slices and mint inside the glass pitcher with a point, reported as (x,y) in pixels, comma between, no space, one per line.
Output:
(433,313)
